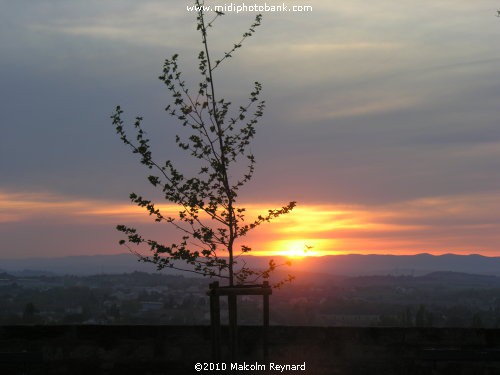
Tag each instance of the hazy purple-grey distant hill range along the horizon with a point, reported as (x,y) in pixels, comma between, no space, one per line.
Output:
(346,265)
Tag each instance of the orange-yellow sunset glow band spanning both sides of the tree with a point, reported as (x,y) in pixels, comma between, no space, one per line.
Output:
(434,225)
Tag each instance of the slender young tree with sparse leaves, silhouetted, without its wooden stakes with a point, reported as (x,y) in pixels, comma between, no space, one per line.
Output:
(210,220)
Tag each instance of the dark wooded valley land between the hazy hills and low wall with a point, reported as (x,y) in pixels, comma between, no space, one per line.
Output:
(440,299)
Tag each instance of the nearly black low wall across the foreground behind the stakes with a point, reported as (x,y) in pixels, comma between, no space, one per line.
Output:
(176,349)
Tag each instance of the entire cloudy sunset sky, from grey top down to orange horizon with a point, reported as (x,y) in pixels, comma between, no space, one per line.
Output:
(382,122)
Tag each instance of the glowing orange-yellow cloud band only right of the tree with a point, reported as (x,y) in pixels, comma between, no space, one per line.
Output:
(460,223)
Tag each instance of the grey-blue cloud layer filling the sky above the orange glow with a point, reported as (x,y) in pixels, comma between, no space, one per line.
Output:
(368,103)
